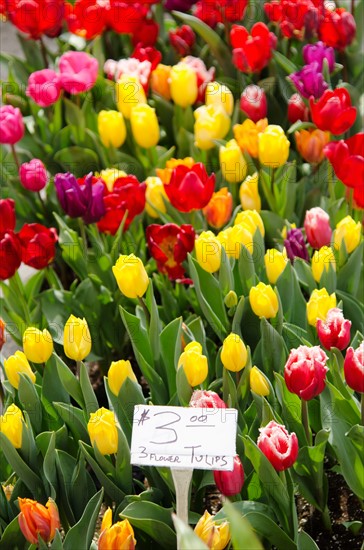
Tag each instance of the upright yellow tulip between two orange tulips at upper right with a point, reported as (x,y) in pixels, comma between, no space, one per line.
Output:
(273,146)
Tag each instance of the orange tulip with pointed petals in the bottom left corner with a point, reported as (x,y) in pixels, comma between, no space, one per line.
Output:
(38,520)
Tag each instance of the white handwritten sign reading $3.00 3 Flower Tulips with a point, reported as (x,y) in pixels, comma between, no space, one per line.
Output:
(181,437)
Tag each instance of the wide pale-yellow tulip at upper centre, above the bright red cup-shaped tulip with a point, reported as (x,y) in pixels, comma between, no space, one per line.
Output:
(211,122)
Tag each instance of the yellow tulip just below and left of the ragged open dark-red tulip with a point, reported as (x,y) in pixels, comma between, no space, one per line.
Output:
(130,274)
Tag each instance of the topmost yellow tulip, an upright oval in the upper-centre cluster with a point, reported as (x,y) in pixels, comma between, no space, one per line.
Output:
(183,85)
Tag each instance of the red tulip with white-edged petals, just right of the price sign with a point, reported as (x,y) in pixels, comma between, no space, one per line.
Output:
(280,447)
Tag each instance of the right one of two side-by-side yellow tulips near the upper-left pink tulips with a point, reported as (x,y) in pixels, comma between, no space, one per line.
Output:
(145,126)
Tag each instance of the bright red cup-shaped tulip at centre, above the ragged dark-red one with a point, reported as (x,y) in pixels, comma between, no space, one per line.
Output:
(190,188)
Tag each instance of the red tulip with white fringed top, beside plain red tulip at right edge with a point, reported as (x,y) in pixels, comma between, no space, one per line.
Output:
(305,371)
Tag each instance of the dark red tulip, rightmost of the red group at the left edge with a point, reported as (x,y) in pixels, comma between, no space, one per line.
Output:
(38,244)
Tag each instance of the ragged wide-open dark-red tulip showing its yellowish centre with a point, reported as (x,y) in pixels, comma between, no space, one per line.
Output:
(169,245)
